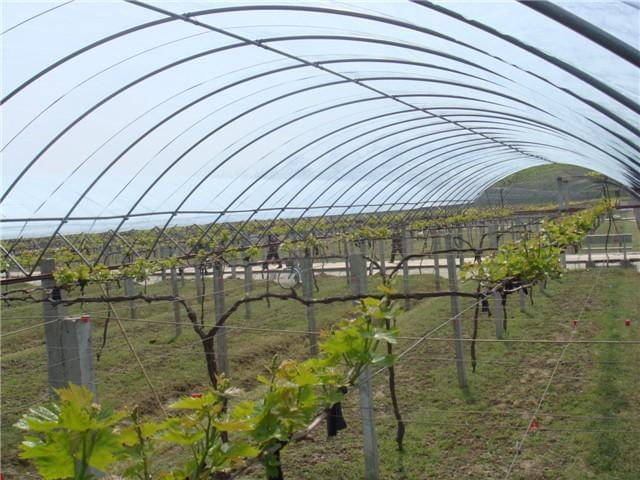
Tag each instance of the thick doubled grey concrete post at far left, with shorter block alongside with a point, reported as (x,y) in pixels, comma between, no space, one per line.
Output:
(68,342)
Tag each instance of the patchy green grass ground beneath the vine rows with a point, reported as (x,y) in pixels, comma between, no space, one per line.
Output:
(451,433)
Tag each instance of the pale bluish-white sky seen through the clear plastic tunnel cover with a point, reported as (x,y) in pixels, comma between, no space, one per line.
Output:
(177,118)
